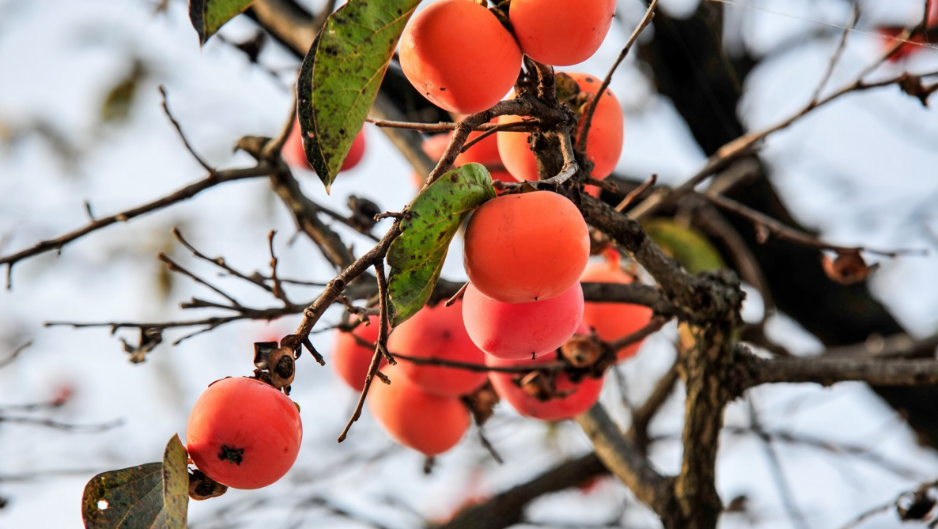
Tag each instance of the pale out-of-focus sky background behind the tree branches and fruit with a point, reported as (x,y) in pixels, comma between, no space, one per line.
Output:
(81,123)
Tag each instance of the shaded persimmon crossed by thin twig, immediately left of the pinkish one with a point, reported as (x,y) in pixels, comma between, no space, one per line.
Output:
(438,332)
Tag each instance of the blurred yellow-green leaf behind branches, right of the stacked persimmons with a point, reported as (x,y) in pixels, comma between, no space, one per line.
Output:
(685,244)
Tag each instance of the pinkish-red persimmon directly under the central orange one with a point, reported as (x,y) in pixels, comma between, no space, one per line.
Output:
(522,330)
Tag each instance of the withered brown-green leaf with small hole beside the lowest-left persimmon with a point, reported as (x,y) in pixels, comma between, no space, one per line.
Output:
(153,495)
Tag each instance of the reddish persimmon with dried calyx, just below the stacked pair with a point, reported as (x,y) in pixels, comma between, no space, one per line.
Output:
(582,395)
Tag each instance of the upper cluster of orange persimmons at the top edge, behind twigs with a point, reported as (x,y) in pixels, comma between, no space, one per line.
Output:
(471,75)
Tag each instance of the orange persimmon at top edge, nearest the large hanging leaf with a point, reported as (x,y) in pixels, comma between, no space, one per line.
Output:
(459,56)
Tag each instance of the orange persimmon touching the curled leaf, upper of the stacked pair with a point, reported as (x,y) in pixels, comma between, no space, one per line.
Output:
(526,247)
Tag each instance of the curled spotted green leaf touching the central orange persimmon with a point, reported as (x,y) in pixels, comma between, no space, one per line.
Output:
(416,256)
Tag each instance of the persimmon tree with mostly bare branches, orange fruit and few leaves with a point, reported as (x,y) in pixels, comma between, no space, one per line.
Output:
(662,254)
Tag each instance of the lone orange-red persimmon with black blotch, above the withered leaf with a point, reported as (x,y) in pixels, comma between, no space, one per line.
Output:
(243,433)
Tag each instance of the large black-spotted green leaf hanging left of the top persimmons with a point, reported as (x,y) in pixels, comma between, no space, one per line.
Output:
(341,75)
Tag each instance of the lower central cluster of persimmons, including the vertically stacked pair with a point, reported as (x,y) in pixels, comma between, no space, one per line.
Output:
(521,325)
